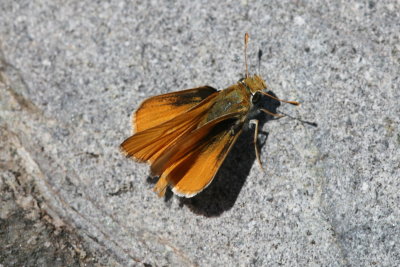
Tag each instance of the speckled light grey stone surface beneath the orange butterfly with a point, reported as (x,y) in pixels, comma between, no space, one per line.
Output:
(73,71)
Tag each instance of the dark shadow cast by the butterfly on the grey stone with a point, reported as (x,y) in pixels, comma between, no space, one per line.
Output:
(224,190)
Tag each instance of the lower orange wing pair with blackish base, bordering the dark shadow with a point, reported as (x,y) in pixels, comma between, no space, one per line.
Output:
(191,163)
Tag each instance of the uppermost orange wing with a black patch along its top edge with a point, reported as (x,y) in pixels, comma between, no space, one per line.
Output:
(159,109)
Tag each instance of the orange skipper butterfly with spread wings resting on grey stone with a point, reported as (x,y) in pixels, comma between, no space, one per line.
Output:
(186,135)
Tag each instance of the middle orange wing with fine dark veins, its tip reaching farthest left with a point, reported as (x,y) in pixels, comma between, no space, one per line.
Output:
(149,144)
